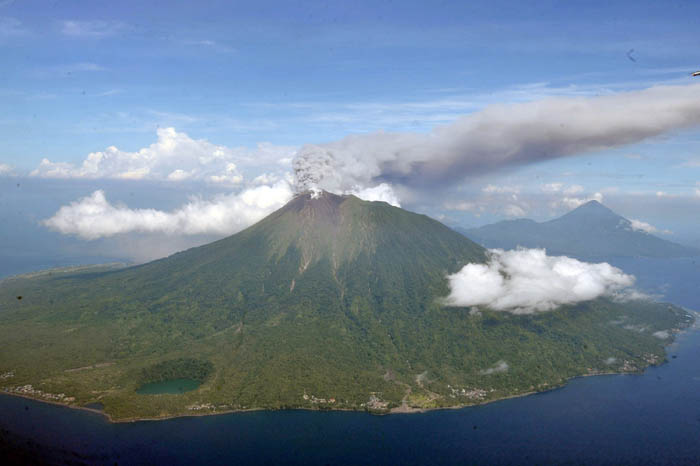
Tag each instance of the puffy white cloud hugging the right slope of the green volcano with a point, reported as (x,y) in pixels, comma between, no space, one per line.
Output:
(524,281)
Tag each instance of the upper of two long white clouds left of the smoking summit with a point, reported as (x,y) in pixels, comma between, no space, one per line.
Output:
(173,157)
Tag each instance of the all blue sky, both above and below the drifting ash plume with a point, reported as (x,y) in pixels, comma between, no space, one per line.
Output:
(79,77)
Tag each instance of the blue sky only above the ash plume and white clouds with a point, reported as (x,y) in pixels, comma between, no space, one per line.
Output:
(80,76)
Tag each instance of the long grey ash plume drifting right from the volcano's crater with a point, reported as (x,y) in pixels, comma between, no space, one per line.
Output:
(497,137)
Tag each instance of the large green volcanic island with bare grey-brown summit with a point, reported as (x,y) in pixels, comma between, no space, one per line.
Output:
(326,303)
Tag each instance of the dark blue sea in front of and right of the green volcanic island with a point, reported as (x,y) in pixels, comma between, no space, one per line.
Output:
(653,418)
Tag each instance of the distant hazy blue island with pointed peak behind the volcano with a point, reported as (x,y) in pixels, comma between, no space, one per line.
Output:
(591,231)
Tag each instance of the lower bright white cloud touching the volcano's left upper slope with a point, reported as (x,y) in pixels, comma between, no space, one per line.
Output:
(95,217)
